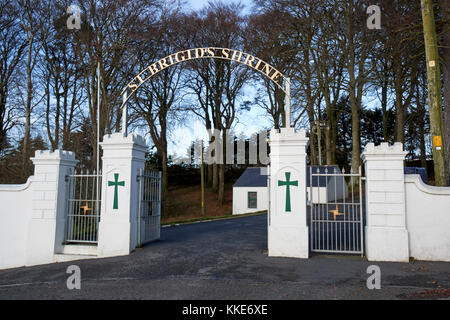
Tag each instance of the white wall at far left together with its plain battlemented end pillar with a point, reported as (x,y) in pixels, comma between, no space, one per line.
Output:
(32,216)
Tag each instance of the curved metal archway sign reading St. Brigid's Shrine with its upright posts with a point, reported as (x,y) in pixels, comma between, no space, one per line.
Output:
(200,53)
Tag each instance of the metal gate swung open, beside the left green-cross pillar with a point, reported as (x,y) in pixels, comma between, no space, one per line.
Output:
(149,217)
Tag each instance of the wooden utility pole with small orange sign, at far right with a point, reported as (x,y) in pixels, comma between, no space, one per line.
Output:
(434,91)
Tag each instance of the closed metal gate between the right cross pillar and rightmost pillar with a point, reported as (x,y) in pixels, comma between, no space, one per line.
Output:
(335,208)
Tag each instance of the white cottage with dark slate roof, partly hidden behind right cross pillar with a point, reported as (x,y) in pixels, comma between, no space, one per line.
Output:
(250,192)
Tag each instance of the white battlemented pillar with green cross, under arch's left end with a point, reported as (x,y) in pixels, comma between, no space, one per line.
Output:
(122,159)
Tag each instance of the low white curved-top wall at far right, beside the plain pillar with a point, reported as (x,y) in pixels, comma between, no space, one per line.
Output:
(427,220)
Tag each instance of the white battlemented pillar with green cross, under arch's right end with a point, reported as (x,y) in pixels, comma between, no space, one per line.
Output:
(287,227)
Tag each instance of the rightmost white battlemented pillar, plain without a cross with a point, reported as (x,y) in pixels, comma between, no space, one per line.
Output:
(386,236)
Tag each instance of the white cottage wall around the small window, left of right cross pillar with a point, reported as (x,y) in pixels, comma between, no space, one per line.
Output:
(240,199)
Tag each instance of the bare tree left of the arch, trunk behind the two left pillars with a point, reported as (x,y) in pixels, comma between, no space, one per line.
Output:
(108,31)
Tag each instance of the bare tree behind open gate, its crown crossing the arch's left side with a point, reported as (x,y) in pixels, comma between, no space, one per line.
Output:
(154,102)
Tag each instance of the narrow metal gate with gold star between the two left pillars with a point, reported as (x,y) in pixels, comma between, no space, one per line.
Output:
(83,207)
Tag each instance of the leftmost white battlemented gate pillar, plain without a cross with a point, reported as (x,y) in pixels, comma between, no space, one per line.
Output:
(46,228)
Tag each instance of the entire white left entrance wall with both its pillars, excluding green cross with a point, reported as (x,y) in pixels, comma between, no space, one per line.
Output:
(32,216)
